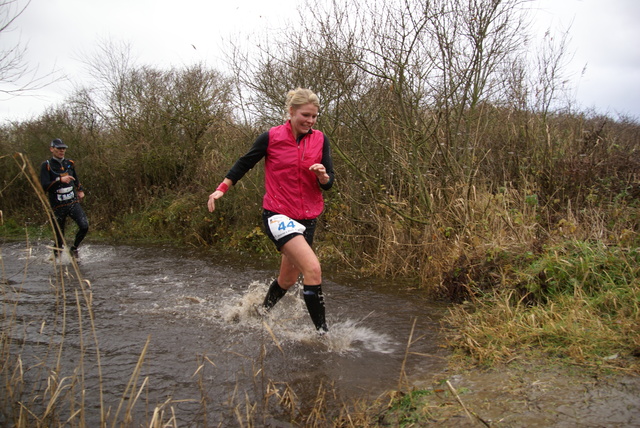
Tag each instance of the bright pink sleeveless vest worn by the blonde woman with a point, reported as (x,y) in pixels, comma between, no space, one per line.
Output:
(291,189)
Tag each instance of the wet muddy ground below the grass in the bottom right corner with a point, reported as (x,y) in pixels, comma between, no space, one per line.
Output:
(523,395)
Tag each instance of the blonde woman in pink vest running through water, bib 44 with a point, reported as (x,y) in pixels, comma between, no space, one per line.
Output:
(298,167)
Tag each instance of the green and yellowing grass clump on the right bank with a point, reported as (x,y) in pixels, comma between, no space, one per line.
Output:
(576,301)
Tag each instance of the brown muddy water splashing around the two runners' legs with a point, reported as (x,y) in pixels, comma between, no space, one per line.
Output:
(209,352)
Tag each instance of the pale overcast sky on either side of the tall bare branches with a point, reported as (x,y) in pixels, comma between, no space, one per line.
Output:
(605,69)
